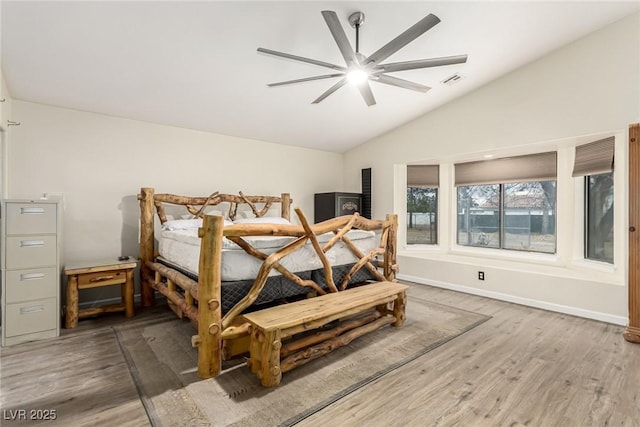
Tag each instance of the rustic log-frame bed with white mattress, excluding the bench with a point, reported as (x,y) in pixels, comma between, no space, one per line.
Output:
(216,258)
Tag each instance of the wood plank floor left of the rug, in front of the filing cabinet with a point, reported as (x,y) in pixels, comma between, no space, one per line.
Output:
(82,380)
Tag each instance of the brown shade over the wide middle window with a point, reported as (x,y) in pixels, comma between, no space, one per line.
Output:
(532,167)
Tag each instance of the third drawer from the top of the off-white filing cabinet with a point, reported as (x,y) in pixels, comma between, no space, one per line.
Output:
(35,283)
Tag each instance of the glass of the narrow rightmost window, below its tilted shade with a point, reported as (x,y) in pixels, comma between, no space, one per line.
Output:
(599,217)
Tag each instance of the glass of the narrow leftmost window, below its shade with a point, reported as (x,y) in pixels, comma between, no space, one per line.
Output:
(422,219)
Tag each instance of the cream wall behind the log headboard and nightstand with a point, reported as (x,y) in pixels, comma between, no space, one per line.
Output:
(100,163)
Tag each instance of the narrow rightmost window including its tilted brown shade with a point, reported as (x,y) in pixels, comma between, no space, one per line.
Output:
(594,161)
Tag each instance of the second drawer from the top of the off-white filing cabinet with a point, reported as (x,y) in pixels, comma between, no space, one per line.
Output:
(30,251)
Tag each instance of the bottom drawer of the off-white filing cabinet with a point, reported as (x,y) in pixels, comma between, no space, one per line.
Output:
(29,317)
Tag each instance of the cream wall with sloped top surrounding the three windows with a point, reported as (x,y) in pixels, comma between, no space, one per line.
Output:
(589,87)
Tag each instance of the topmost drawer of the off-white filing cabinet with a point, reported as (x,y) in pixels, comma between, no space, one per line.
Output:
(31,218)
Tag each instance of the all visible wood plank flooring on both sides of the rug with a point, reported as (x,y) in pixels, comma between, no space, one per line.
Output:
(522,367)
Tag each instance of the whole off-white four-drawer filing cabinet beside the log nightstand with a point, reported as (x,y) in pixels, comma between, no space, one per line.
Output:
(31,234)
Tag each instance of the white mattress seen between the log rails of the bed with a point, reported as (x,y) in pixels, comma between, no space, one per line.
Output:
(182,247)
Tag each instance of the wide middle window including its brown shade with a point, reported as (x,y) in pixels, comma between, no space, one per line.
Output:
(508,203)
